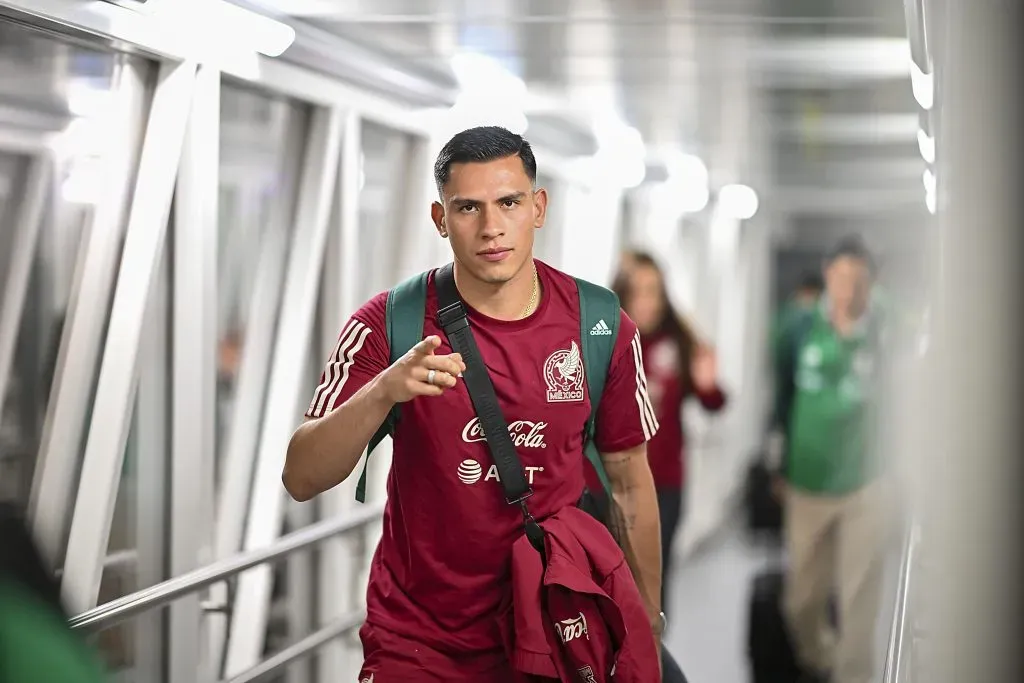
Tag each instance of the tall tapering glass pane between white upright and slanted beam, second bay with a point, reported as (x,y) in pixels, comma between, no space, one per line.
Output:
(258,154)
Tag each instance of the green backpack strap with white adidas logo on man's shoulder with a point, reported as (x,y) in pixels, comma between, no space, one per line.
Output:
(600,315)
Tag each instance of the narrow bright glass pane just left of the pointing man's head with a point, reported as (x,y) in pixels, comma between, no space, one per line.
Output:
(386,157)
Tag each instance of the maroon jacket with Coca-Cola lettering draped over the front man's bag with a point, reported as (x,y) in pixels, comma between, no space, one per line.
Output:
(580,616)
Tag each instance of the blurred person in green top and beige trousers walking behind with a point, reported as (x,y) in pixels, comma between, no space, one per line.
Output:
(829,362)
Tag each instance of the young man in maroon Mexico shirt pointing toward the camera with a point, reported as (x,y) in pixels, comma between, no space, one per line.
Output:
(442,568)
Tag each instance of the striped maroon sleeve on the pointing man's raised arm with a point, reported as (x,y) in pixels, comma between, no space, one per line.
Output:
(361,355)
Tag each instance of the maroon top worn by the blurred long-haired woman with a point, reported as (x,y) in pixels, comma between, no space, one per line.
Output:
(667,451)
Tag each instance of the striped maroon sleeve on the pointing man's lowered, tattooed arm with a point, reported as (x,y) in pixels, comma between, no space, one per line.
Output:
(625,416)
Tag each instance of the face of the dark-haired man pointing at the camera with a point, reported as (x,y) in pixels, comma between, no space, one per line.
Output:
(490,211)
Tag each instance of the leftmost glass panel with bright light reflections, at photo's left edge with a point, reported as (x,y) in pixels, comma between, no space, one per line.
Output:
(62,94)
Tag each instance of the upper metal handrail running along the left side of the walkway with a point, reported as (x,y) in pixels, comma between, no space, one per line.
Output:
(118,611)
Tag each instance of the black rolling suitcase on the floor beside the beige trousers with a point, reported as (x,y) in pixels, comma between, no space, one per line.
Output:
(770,649)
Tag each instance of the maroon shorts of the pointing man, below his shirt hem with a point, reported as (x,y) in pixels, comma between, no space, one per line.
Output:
(389,658)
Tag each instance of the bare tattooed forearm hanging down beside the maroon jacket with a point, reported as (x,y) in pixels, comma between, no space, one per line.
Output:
(635,524)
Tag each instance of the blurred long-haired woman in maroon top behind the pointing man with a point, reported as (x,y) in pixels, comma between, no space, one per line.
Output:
(678,366)
